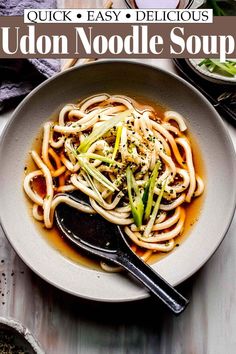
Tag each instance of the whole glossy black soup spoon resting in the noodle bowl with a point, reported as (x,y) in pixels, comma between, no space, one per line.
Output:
(97,236)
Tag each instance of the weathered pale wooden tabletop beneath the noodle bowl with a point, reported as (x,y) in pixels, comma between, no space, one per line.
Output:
(67,325)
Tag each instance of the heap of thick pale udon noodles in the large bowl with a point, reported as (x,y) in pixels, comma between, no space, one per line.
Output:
(91,147)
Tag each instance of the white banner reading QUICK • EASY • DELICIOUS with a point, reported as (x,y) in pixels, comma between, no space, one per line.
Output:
(118,16)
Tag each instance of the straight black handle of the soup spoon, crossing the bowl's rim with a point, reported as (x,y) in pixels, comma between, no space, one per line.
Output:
(154,282)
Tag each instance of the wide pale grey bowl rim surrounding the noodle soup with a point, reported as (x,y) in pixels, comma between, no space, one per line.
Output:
(121,77)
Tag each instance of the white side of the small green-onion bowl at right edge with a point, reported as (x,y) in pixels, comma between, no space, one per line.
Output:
(207,75)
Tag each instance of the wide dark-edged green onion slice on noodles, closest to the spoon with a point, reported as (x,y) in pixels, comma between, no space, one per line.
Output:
(136,203)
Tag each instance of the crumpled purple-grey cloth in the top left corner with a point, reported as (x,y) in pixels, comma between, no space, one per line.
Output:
(19,76)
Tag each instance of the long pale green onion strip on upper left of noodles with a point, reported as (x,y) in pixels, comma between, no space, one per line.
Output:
(102,130)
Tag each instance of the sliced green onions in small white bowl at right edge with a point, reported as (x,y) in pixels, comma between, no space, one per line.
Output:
(214,65)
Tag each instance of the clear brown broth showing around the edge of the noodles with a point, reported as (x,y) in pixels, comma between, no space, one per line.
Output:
(56,240)
